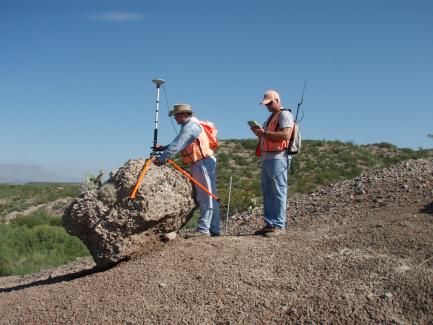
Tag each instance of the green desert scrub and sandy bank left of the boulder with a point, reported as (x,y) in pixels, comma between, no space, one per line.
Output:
(33,239)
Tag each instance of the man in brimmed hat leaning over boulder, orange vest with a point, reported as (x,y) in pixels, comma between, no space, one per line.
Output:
(193,144)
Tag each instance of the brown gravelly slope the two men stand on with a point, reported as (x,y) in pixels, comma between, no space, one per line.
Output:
(359,251)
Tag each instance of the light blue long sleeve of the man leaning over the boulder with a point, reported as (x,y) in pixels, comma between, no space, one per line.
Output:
(187,134)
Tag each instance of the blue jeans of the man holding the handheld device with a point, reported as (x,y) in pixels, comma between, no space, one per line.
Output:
(274,189)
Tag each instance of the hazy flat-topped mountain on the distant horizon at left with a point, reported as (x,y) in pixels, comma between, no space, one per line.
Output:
(21,174)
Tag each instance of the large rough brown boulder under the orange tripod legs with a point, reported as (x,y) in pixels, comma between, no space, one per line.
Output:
(113,227)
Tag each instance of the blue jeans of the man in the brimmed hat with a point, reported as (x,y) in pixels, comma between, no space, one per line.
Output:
(204,171)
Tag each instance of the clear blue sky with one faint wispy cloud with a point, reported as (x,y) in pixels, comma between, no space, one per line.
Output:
(76,91)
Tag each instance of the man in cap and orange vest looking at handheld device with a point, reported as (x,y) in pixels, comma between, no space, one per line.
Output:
(274,137)
